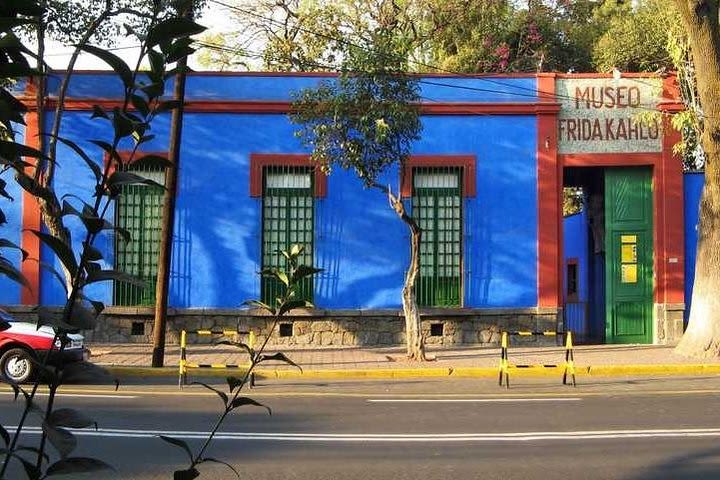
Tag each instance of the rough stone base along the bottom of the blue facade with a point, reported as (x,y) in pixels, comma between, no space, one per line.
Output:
(320,328)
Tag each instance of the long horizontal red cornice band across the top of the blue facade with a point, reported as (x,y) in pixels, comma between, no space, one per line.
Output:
(261,106)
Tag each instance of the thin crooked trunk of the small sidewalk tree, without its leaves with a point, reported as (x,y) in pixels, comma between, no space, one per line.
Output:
(413,326)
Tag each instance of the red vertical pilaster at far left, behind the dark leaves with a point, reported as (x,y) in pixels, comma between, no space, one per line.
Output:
(31,220)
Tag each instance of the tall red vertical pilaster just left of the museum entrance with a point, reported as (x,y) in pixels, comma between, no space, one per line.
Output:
(549,172)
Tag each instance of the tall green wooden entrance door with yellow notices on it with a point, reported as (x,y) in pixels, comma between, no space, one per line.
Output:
(628,255)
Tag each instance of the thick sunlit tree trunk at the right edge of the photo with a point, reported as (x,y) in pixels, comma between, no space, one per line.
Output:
(702,338)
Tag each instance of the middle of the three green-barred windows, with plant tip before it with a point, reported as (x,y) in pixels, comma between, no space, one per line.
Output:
(288,219)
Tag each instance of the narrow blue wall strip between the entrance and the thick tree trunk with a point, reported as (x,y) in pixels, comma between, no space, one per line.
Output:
(693,186)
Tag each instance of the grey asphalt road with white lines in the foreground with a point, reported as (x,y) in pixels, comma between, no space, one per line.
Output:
(414,429)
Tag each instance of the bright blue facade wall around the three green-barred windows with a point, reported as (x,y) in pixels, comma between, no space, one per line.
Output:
(360,243)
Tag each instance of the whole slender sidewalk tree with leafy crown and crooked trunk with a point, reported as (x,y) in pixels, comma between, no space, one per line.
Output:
(365,122)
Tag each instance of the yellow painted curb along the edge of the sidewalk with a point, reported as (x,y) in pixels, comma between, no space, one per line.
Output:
(437,372)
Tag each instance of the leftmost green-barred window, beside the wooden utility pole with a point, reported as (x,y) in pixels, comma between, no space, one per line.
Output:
(139,211)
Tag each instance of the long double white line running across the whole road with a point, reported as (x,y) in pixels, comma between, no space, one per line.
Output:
(399,438)
